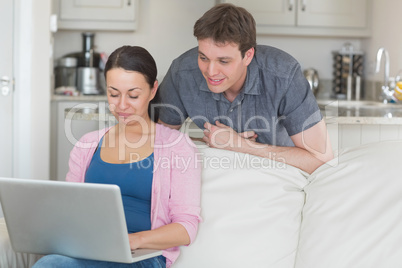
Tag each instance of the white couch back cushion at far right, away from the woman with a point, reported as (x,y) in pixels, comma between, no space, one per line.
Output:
(353,211)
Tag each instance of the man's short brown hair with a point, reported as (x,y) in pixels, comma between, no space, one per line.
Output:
(227,23)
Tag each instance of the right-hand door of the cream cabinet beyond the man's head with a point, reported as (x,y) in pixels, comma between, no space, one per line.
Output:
(330,13)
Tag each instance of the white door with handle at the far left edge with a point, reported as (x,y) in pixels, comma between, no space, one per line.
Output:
(6,88)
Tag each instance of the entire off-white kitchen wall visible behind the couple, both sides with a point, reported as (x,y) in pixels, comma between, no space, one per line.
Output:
(165,29)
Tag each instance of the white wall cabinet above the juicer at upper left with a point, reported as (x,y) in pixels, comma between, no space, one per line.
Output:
(119,15)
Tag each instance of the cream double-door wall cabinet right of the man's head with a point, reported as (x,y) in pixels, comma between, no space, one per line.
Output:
(309,17)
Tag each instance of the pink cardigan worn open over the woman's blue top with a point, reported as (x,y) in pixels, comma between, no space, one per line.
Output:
(176,182)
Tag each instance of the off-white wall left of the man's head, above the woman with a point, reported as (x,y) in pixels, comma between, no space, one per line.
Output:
(165,29)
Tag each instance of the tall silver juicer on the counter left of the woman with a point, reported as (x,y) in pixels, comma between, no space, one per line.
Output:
(89,67)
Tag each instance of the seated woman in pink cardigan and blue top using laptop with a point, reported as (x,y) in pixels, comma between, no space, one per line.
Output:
(155,166)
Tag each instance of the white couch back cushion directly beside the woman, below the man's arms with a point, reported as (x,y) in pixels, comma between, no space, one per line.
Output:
(251,209)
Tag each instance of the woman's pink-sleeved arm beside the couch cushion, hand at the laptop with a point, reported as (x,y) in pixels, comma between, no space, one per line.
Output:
(183,205)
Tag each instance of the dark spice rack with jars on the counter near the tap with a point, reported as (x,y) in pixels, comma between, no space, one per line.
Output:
(347,73)
